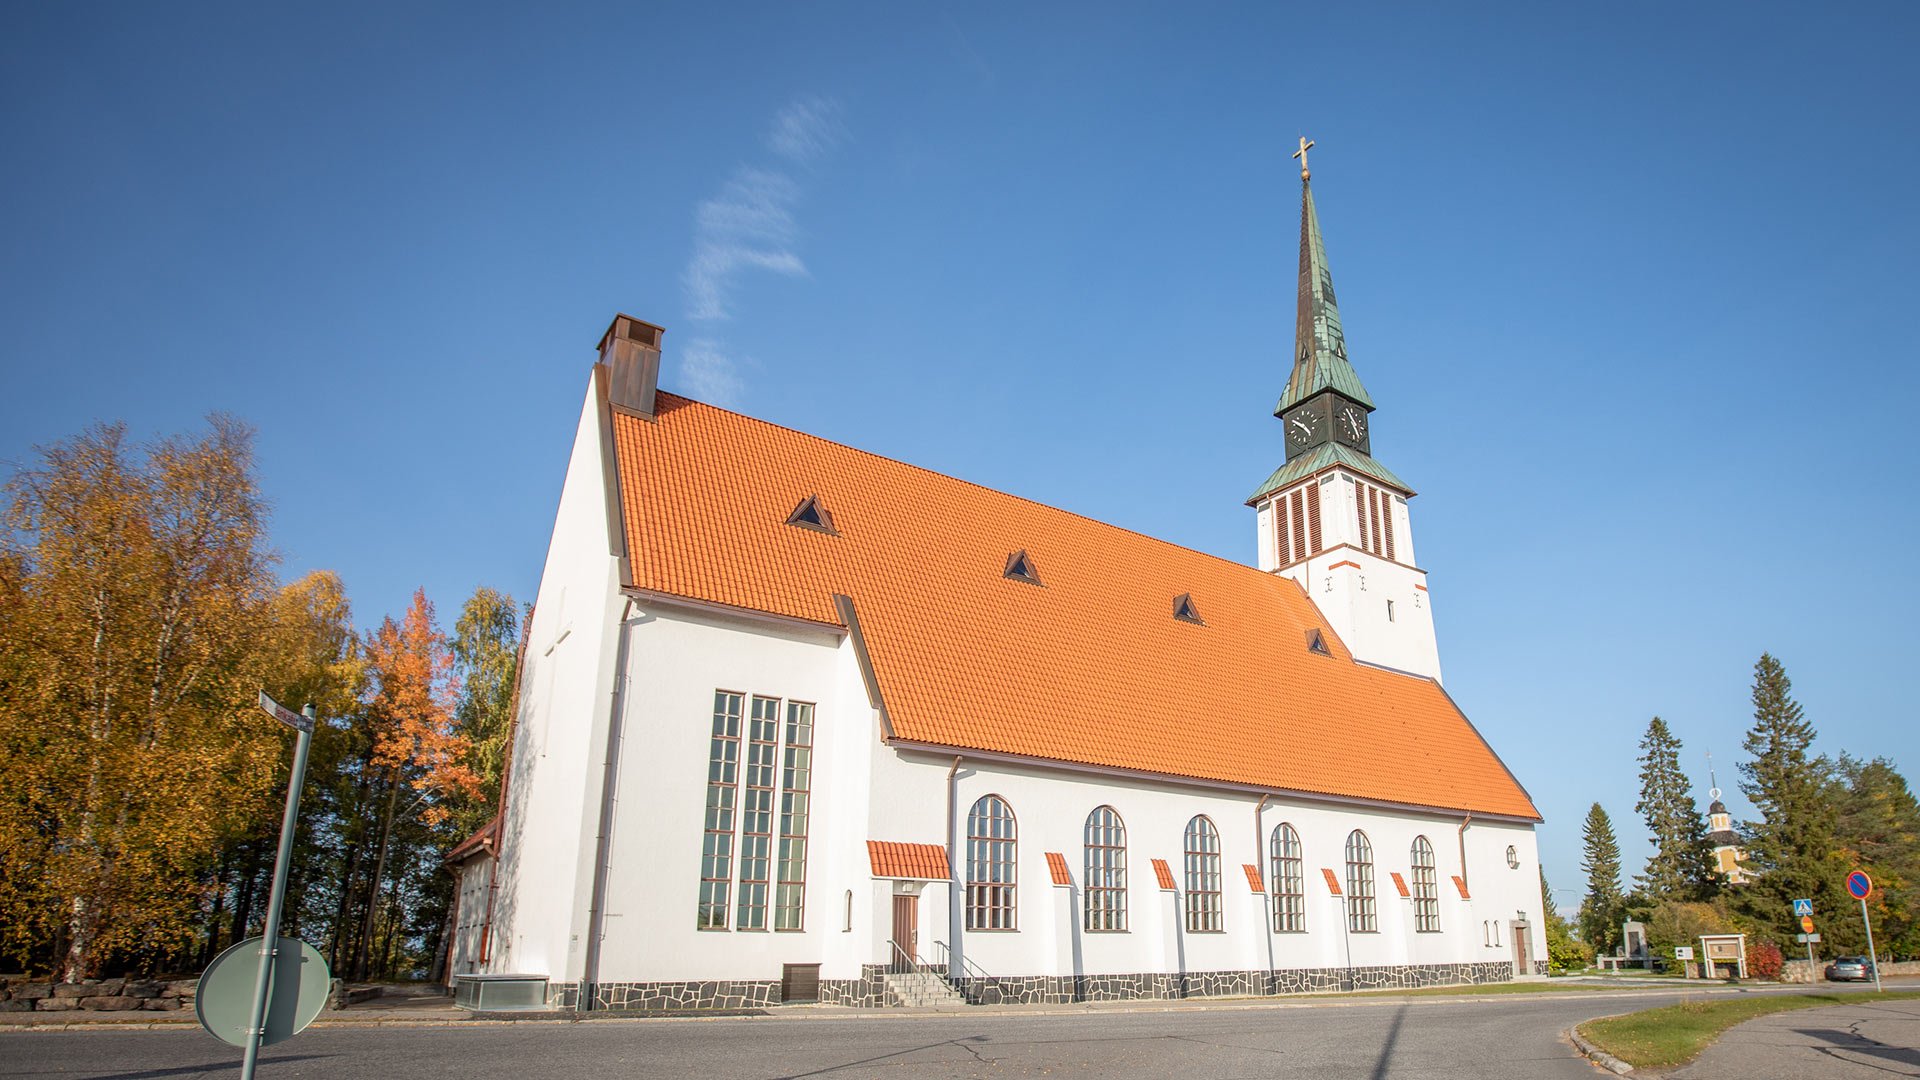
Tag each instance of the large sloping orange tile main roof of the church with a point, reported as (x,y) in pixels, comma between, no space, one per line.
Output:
(1090,668)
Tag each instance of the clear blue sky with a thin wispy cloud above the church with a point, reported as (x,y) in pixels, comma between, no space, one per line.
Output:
(1633,291)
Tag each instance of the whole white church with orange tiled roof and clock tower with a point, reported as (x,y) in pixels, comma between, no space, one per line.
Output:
(804,724)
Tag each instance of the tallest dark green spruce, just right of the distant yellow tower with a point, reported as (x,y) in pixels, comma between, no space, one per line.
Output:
(1790,848)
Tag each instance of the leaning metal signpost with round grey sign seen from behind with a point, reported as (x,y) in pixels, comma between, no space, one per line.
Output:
(289,979)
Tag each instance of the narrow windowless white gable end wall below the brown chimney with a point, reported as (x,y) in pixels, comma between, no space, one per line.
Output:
(548,843)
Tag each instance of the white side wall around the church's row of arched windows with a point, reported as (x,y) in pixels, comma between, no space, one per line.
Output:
(1051,808)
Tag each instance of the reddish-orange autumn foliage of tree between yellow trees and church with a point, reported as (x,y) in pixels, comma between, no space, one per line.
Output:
(414,693)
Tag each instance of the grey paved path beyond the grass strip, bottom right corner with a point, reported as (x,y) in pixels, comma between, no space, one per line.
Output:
(1838,1043)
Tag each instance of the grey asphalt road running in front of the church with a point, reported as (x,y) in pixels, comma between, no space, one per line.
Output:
(1403,1039)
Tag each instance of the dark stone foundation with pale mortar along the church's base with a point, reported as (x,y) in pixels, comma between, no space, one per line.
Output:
(871,991)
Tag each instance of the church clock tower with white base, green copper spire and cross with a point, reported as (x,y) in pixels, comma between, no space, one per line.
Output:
(1333,518)
